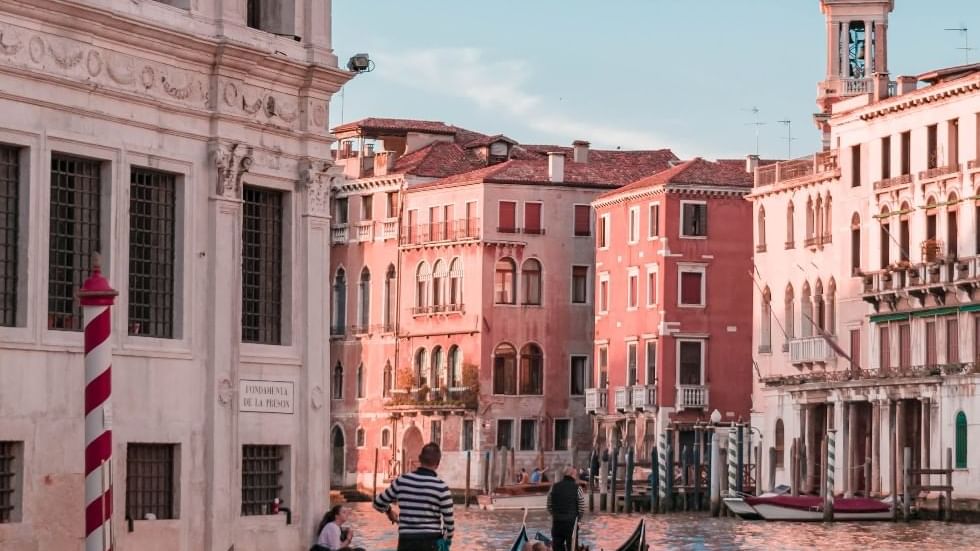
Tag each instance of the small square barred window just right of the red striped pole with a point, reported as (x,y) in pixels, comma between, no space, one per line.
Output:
(150,481)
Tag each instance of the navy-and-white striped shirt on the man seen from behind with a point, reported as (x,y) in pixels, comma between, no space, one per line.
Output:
(425,505)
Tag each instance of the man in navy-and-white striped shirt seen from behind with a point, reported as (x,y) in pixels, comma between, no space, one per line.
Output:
(425,514)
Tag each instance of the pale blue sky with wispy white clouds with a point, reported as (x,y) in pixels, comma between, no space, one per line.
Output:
(634,74)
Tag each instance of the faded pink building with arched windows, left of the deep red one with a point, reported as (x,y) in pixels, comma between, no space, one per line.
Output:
(486,341)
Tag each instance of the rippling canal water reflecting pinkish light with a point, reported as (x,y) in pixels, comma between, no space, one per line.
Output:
(491,531)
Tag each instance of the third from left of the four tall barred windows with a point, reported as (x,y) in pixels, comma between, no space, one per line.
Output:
(152,206)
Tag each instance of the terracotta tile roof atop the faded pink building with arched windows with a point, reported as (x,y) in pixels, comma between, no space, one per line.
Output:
(604,169)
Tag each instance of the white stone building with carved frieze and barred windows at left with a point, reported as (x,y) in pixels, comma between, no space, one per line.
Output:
(186,141)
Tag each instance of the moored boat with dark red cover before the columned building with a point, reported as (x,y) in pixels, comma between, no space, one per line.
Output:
(810,508)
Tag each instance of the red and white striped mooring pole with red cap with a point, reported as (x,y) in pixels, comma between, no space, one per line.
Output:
(96,297)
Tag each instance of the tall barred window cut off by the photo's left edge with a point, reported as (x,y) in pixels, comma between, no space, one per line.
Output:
(9,222)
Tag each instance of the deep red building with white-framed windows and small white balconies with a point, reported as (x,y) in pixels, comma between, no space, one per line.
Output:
(673,303)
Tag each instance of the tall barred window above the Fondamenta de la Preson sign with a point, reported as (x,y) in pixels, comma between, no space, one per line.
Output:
(262,266)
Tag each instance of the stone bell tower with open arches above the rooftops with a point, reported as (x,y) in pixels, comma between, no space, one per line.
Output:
(856,52)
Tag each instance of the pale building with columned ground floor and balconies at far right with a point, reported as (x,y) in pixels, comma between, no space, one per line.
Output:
(889,360)
